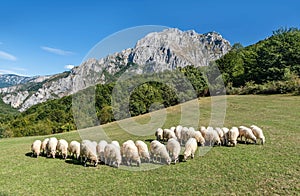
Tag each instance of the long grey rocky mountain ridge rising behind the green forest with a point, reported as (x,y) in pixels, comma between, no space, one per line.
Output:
(156,52)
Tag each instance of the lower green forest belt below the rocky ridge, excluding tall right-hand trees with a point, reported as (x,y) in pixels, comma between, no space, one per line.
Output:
(113,101)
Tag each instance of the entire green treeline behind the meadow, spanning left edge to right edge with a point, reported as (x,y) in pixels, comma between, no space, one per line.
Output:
(268,67)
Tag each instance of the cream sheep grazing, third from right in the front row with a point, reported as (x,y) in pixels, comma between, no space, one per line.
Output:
(158,149)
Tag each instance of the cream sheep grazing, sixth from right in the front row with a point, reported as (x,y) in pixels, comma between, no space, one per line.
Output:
(112,155)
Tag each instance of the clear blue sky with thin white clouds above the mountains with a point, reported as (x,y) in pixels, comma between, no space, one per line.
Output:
(43,37)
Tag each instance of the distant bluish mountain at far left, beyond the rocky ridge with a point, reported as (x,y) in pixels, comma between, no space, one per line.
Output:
(7,80)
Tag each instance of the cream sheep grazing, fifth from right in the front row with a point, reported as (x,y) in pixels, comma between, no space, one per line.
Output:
(131,153)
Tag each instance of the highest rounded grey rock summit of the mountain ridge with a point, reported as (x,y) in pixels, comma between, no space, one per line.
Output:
(176,48)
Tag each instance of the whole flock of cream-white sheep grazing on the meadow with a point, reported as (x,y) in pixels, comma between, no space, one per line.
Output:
(130,152)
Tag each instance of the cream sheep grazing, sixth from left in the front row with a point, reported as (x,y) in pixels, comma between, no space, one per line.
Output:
(88,152)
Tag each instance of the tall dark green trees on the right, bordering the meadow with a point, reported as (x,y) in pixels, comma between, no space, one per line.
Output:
(267,67)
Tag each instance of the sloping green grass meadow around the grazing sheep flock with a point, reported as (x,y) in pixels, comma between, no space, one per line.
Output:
(246,169)
